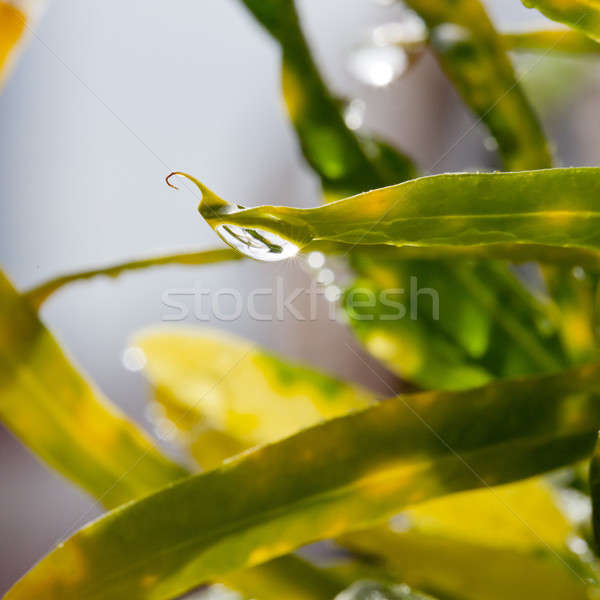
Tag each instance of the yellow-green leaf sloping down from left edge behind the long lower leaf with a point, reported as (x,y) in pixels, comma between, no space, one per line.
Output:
(54,411)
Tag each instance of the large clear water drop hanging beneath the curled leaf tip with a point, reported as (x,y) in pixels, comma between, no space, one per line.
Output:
(256,243)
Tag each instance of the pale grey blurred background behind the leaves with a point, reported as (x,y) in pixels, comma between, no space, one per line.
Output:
(110,96)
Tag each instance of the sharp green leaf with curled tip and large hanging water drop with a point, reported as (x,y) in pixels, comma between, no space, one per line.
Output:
(554,207)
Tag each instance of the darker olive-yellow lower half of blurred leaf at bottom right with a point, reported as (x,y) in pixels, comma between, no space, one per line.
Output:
(453,568)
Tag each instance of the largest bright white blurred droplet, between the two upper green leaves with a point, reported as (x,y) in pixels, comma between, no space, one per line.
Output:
(377,66)
